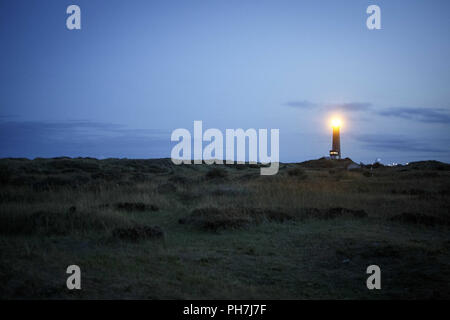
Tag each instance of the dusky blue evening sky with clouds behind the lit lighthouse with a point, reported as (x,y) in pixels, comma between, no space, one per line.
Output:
(137,70)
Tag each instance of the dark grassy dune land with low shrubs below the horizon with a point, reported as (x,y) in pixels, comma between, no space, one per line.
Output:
(147,229)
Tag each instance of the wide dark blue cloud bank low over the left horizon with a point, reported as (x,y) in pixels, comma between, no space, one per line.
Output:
(80,138)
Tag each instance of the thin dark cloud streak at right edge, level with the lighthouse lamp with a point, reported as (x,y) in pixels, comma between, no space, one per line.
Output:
(430,115)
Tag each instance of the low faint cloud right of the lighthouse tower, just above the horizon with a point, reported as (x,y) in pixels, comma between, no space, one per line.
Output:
(386,142)
